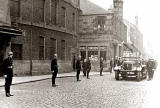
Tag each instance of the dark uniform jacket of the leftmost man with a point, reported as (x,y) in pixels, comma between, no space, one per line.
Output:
(7,64)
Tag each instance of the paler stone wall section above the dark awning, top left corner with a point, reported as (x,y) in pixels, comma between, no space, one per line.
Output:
(4,13)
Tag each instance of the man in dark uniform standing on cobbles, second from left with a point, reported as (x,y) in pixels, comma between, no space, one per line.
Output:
(54,69)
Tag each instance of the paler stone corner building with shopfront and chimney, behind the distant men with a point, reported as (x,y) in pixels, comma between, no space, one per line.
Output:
(101,31)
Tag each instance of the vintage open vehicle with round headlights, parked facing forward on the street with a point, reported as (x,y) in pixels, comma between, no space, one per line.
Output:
(131,67)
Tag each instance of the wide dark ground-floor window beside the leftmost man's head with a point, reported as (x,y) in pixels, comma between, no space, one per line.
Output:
(17,51)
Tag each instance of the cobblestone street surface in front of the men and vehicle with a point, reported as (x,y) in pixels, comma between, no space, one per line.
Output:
(96,92)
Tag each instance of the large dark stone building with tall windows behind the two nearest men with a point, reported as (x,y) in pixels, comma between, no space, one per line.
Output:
(50,26)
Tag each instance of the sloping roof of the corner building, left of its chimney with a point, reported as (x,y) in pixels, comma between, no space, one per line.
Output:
(88,7)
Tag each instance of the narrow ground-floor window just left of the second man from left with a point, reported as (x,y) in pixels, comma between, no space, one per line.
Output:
(41,48)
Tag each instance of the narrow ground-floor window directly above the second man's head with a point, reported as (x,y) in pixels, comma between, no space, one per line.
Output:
(53,47)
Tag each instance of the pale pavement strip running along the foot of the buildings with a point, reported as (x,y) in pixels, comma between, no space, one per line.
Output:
(28,79)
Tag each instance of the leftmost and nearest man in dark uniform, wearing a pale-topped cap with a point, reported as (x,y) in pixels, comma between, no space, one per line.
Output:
(8,73)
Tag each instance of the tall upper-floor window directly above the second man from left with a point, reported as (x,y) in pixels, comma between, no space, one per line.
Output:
(53,11)
